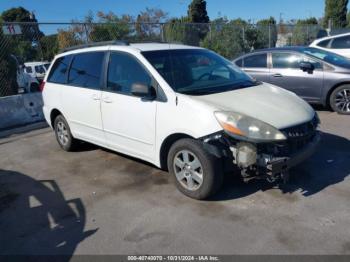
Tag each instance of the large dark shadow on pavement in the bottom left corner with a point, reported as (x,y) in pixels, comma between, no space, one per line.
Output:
(36,219)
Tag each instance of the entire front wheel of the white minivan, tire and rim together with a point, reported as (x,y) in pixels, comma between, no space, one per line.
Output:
(197,173)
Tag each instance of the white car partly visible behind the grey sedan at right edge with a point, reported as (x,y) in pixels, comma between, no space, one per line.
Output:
(339,44)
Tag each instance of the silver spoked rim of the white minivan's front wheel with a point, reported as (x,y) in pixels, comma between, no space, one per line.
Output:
(188,170)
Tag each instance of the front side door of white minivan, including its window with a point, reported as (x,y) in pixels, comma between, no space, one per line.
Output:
(128,121)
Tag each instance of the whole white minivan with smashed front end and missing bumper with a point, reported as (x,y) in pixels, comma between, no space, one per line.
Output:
(184,109)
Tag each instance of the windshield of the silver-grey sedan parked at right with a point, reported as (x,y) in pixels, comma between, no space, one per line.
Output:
(328,57)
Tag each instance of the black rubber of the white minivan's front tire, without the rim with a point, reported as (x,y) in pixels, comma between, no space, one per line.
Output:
(211,169)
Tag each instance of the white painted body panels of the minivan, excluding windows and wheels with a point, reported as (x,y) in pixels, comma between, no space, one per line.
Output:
(128,125)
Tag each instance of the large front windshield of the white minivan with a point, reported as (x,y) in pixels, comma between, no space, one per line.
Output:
(198,71)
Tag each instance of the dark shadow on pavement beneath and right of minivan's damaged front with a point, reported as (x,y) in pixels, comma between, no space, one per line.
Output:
(328,166)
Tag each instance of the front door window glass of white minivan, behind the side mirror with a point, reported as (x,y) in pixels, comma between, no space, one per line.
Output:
(124,71)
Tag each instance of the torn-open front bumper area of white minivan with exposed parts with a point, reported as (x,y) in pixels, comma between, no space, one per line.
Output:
(270,161)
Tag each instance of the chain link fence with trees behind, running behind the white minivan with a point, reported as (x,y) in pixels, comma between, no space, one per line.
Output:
(22,43)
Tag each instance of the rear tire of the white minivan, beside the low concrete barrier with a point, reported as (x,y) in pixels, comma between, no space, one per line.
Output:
(69,143)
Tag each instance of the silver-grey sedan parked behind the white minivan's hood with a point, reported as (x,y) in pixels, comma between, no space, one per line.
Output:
(316,75)
